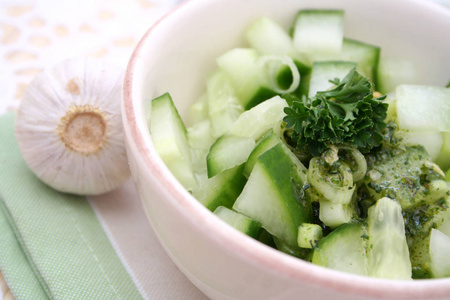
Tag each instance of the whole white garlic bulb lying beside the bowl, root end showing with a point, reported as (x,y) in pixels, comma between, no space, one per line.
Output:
(69,127)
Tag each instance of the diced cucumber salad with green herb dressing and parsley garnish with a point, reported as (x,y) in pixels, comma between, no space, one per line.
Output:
(314,144)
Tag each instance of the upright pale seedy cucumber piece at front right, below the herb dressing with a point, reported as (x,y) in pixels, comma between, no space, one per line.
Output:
(388,250)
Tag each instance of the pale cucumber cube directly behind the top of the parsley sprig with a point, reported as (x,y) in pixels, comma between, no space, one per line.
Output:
(324,71)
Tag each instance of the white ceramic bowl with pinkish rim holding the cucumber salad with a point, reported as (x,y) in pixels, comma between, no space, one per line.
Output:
(175,56)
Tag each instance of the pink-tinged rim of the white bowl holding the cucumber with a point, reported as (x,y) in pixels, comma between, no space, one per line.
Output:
(227,236)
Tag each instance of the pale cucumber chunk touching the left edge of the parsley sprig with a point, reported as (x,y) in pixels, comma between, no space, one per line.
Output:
(257,121)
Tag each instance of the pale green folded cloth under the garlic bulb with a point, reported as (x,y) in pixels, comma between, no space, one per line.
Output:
(51,244)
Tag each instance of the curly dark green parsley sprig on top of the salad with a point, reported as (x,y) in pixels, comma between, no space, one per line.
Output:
(346,114)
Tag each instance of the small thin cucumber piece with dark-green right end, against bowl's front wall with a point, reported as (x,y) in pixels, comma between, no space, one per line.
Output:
(242,223)
